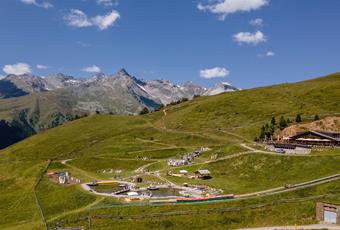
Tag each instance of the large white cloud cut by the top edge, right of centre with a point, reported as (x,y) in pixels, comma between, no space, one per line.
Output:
(226,7)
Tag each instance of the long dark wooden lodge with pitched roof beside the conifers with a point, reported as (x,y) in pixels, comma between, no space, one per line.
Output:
(315,138)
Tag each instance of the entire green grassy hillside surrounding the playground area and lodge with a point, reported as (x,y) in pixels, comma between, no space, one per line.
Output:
(220,122)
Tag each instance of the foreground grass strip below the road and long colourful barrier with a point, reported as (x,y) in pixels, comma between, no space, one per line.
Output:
(288,209)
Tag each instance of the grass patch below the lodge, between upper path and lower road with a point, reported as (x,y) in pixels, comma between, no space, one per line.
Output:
(256,172)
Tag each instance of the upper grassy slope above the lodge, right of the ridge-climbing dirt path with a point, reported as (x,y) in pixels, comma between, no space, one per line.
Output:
(245,111)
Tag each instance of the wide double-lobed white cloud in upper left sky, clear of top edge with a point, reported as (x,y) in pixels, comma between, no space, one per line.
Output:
(77,18)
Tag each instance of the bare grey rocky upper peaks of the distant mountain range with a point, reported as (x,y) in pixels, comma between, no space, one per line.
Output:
(120,87)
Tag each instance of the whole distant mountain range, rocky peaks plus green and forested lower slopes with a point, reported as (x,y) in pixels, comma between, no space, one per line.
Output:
(30,103)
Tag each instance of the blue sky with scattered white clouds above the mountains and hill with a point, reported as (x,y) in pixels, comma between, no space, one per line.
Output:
(246,42)
